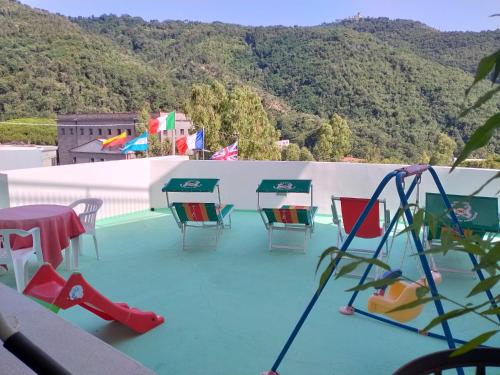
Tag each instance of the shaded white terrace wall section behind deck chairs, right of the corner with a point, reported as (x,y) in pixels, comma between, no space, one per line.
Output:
(240,179)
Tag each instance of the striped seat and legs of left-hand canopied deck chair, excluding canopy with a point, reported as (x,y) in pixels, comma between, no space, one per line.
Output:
(202,215)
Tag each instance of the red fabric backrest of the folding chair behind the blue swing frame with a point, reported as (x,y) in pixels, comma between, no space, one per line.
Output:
(352,208)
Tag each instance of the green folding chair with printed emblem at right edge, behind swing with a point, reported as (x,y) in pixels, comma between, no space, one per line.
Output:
(477,216)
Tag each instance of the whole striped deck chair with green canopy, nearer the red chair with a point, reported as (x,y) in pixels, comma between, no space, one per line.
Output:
(287,217)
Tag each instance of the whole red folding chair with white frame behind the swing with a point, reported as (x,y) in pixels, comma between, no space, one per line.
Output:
(374,225)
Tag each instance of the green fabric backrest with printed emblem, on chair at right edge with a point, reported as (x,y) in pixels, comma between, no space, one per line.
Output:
(479,214)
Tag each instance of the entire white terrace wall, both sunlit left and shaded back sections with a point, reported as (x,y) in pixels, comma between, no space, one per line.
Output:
(133,185)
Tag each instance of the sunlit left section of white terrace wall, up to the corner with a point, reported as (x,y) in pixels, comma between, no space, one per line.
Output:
(123,185)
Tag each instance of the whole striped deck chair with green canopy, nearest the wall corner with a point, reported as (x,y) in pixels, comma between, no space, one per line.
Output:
(198,214)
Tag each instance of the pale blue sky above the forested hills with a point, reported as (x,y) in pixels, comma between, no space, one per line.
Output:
(445,15)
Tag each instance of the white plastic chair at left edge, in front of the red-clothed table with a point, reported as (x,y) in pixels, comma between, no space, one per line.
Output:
(19,258)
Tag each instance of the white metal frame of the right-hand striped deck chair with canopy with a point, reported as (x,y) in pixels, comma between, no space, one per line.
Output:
(277,226)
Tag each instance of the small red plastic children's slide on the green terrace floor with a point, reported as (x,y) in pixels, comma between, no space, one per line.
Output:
(48,286)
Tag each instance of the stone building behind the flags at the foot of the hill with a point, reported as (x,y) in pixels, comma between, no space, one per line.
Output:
(79,134)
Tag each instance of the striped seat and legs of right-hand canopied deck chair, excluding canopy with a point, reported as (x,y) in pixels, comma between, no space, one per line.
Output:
(292,218)
